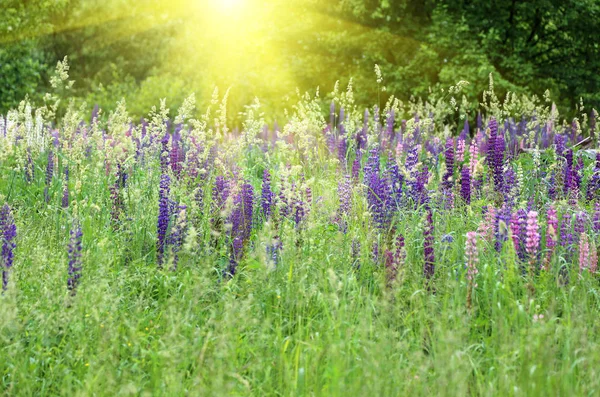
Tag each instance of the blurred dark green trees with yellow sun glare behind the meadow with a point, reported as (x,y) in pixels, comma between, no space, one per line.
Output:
(144,50)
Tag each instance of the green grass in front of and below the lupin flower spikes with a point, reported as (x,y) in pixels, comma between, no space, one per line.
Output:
(314,324)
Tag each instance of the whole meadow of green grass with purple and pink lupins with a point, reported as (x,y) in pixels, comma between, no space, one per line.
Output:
(428,247)
